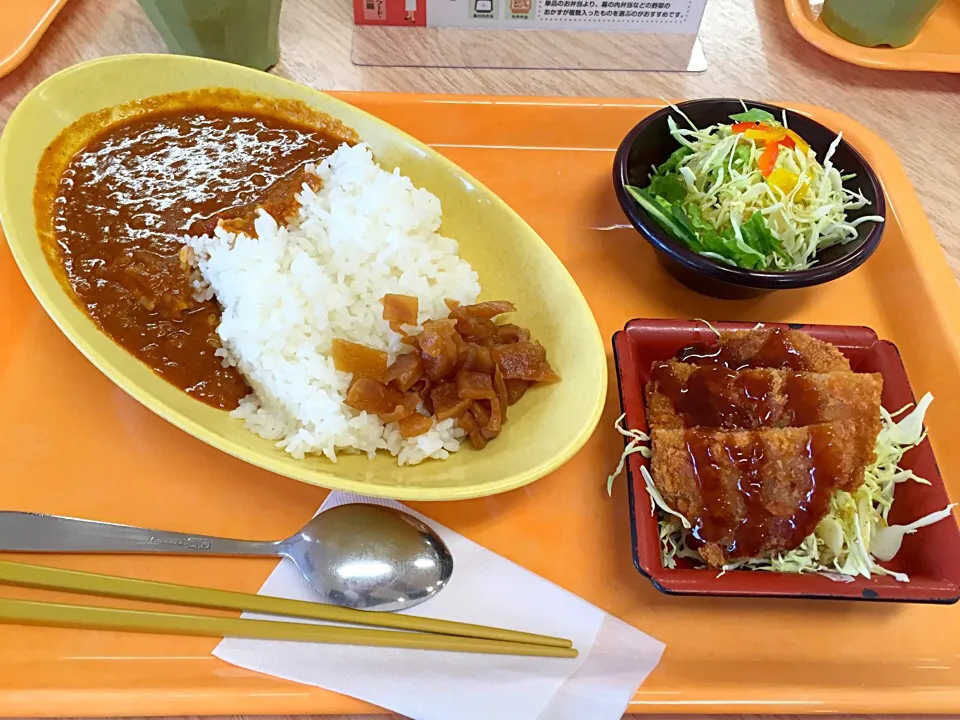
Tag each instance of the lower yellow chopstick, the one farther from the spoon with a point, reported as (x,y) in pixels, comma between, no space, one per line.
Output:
(29,612)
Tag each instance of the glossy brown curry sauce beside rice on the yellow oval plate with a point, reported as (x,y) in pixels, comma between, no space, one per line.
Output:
(129,194)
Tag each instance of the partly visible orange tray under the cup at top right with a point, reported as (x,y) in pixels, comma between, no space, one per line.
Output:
(936,48)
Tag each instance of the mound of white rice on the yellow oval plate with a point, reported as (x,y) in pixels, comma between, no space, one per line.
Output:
(289,292)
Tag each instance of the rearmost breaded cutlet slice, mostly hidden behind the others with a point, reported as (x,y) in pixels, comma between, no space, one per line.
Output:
(769,347)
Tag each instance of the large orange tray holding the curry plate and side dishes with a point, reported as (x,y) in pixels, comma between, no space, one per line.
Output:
(72,443)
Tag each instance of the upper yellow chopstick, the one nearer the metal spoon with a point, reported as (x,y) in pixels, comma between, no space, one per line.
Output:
(47,578)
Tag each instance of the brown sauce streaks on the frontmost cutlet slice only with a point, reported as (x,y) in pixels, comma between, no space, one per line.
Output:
(743,531)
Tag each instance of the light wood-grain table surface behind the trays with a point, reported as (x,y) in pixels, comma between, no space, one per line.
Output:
(751,49)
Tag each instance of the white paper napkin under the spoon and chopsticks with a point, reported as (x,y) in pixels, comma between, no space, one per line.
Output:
(486,589)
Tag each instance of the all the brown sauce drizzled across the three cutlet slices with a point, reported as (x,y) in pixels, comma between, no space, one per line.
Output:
(719,395)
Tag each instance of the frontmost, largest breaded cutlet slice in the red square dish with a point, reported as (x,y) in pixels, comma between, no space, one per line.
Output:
(749,492)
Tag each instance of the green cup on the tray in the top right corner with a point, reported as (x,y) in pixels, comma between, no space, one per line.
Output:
(877,22)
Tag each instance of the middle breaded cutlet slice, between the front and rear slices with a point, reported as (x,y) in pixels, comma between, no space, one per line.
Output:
(685,395)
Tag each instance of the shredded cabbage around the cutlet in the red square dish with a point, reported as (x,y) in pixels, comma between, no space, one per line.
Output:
(853,537)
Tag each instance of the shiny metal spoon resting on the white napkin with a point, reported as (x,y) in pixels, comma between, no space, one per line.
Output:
(359,556)
